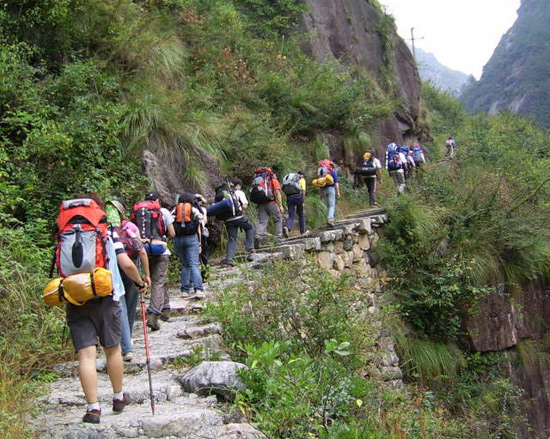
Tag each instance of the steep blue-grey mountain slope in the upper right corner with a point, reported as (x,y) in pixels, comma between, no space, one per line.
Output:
(517,77)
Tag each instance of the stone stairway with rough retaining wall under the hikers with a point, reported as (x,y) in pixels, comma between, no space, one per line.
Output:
(185,415)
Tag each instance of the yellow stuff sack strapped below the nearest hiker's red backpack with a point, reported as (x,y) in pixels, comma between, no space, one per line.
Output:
(78,288)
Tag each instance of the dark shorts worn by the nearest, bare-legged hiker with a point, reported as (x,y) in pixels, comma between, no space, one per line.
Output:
(98,318)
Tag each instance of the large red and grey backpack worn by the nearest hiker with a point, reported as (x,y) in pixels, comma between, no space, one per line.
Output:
(81,237)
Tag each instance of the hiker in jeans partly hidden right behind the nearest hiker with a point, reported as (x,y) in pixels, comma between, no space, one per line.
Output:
(128,234)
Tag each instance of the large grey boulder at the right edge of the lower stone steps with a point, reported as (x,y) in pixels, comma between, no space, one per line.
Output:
(214,377)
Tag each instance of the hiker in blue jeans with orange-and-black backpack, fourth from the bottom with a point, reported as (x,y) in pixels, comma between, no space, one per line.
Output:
(189,220)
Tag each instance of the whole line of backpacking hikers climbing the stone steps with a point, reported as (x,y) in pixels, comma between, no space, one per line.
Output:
(123,254)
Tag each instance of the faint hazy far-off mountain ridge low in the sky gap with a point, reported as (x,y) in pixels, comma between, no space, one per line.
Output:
(441,76)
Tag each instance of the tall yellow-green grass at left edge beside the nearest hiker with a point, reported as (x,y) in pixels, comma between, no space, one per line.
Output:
(31,338)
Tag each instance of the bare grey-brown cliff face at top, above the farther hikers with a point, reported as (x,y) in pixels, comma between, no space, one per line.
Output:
(353,32)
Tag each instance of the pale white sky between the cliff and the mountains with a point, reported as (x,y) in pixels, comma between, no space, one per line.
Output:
(462,34)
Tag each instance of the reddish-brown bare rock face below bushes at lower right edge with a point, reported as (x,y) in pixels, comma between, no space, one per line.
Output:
(500,323)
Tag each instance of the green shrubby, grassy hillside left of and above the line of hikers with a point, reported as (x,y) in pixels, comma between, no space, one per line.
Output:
(87,85)
